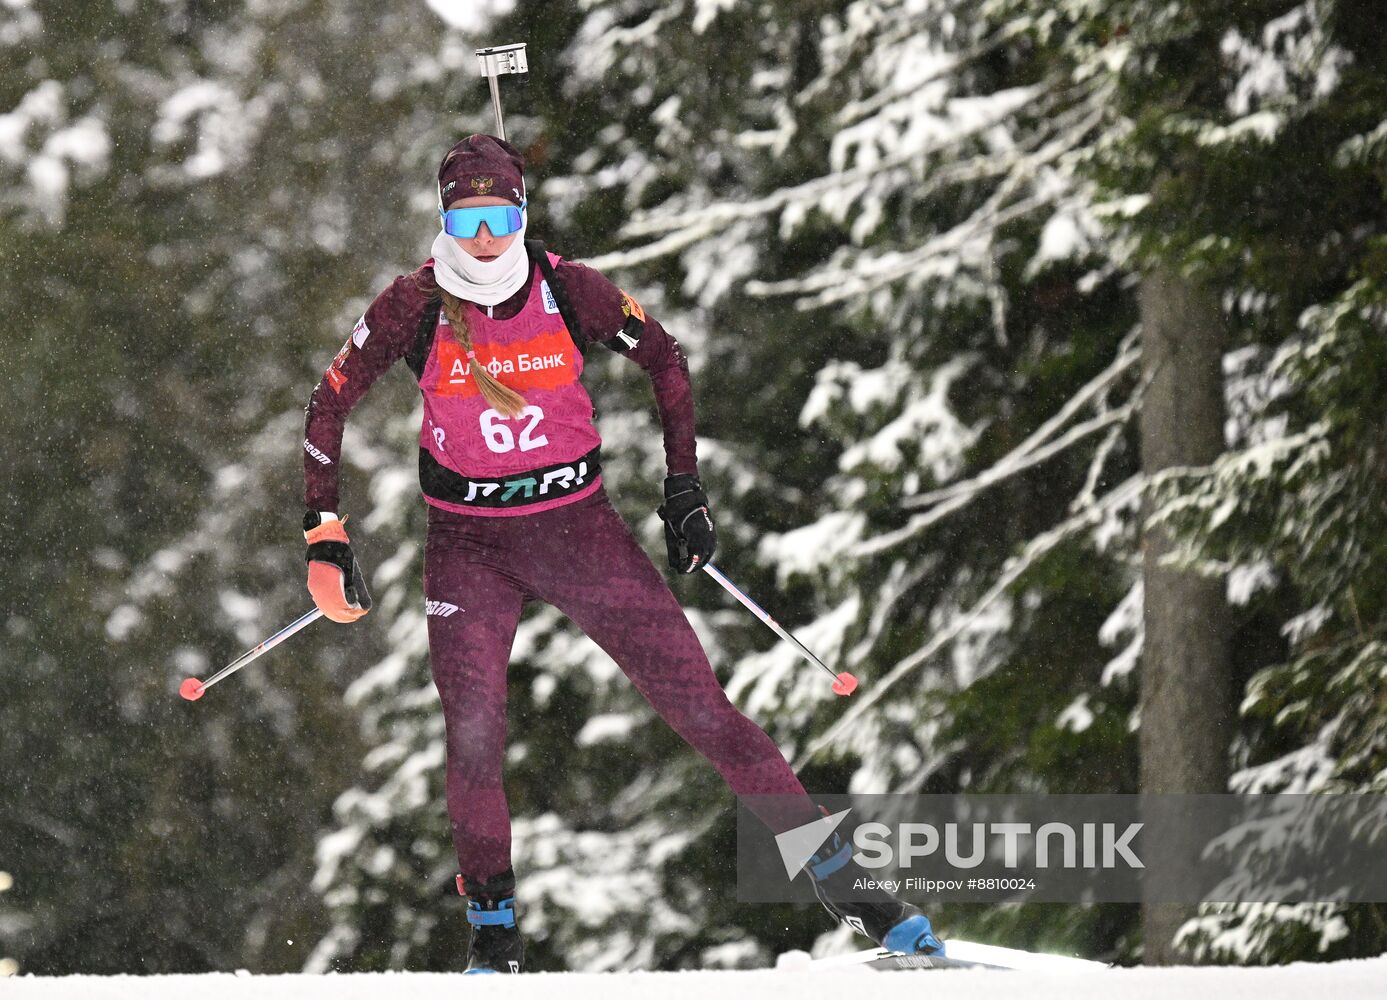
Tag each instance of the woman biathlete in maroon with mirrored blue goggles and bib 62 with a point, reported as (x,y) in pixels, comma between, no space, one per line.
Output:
(493,331)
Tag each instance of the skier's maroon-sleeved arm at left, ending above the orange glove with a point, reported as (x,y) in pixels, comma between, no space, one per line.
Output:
(384,335)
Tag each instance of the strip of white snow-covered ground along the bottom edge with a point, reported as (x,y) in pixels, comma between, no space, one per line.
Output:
(1345,981)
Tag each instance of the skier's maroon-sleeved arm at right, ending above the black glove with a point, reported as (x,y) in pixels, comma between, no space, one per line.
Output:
(612,318)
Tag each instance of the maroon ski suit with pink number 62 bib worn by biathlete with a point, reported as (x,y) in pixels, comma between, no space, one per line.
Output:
(565,544)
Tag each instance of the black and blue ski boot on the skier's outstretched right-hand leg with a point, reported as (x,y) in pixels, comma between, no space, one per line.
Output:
(875,913)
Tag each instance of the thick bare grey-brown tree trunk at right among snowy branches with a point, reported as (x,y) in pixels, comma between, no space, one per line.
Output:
(1187,723)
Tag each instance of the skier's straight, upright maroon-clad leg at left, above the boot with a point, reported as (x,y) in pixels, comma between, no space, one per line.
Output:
(474,610)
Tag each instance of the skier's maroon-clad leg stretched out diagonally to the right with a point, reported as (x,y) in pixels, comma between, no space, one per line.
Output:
(603,579)
